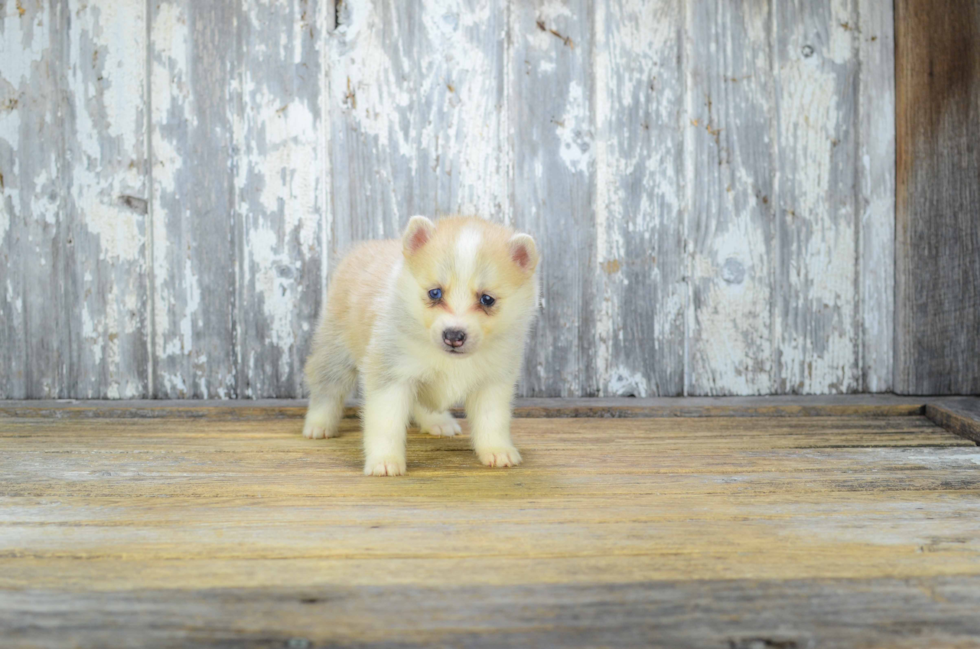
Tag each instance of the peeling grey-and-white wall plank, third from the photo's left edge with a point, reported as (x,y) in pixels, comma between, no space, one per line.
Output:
(197,229)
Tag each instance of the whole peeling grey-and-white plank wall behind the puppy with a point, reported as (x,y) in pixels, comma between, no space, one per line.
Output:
(711,181)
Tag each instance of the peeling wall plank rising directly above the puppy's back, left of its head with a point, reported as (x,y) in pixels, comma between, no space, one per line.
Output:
(372,86)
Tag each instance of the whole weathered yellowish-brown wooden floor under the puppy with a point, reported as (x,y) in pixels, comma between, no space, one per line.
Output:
(745,532)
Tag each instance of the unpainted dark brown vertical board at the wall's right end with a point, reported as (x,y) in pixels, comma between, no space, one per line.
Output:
(937,272)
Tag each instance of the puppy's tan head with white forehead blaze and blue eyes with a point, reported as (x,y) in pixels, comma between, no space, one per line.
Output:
(473,281)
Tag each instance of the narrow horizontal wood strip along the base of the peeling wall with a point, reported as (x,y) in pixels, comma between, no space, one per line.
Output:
(780,406)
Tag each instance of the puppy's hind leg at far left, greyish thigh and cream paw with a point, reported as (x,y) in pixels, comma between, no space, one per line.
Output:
(330,375)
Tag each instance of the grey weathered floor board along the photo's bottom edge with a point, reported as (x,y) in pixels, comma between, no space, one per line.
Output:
(740,614)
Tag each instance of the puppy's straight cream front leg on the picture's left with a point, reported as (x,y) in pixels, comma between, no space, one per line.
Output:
(386,409)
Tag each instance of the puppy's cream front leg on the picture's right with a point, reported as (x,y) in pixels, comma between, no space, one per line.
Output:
(488,411)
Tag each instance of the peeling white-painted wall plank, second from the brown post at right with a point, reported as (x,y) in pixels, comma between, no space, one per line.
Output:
(819,345)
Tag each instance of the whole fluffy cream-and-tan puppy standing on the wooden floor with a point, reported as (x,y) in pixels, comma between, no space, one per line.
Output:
(437,318)
